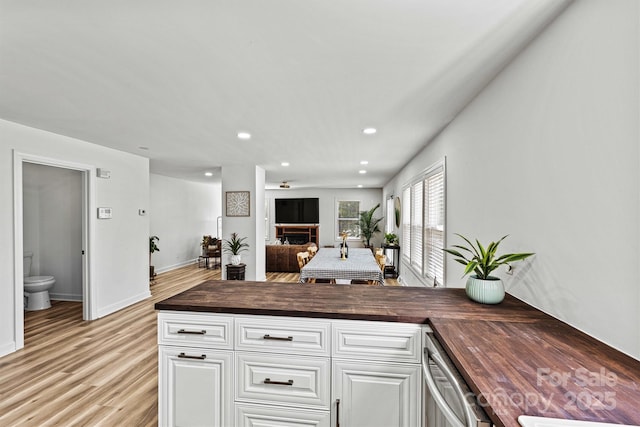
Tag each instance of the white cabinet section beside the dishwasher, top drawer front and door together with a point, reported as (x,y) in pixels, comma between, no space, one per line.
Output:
(376,374)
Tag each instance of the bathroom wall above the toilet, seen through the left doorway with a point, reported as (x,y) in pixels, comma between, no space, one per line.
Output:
(52,226)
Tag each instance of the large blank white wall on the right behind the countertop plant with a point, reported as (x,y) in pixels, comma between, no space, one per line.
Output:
(548,153)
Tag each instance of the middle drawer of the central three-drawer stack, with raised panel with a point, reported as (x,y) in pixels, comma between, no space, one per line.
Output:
(279,379)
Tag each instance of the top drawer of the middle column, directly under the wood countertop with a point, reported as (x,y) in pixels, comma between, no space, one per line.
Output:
(289,335)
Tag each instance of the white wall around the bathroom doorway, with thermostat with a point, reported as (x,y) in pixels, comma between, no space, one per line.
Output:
(120,274)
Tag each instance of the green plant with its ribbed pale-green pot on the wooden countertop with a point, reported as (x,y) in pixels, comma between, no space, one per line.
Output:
(481,286)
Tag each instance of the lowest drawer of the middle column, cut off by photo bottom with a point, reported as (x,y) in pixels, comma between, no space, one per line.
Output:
(260,416)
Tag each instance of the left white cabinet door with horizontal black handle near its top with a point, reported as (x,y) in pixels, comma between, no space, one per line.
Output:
(195,387)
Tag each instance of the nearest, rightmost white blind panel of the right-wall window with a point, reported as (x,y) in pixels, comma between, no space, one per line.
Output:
(434,208)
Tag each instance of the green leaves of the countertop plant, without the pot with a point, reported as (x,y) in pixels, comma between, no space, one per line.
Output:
(482,260)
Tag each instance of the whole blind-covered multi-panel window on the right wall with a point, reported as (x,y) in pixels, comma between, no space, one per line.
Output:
(423,223)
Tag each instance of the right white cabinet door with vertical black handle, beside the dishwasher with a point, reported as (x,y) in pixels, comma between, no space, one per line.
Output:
(376,394)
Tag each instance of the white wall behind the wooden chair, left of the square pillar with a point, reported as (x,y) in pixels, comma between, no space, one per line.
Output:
(181,212)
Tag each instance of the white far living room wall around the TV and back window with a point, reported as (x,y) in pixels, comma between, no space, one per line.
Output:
(368,198)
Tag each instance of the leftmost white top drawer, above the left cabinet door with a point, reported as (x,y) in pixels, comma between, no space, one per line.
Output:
(201,330)
